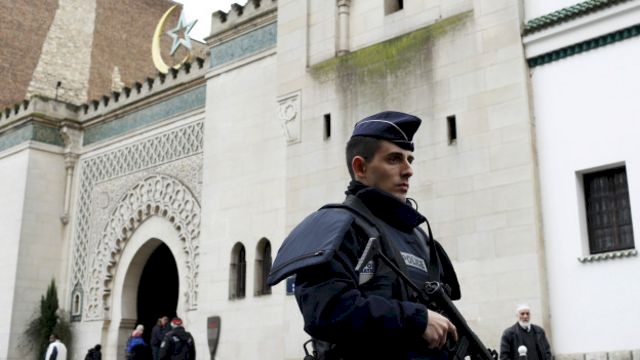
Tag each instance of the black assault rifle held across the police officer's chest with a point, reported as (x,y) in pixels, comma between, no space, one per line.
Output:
(433,295)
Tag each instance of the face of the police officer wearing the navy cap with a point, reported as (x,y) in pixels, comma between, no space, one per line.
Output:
(389,170)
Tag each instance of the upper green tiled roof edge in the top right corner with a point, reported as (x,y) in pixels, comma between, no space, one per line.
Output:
(568,13)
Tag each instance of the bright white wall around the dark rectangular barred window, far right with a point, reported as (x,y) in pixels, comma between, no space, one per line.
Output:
(586,115)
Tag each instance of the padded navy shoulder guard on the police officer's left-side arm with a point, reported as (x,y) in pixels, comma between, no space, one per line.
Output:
(312,242)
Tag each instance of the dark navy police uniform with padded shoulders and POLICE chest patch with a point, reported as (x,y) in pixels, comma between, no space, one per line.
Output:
(371,314)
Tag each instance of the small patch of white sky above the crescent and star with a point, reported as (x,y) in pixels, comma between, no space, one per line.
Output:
(201,10)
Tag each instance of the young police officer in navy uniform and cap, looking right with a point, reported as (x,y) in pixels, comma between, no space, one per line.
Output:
(370,313)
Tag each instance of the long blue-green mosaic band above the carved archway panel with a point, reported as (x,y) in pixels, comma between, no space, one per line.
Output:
(186,101)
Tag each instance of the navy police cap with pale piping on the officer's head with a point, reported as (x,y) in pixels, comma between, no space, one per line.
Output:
(392,126)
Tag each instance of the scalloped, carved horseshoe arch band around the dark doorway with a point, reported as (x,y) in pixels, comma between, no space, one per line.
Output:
(156,195)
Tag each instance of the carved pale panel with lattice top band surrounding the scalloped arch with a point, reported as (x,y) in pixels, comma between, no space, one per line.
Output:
(106,177)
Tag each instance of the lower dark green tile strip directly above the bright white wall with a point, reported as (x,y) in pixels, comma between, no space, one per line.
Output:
(600,41)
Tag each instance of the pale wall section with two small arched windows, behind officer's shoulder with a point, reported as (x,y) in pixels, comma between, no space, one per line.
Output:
(243,201)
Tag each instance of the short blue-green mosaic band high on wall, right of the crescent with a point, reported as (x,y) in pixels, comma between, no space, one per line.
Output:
(244,45)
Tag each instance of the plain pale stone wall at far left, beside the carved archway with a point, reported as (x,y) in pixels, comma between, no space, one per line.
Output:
(32,192)
